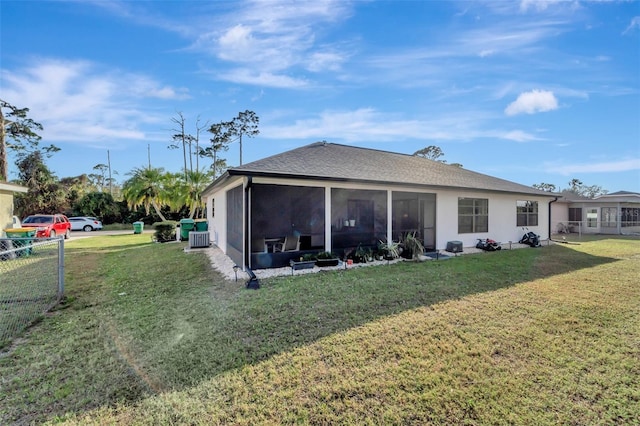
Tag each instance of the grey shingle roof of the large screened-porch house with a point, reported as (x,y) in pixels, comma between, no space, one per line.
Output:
(329,161)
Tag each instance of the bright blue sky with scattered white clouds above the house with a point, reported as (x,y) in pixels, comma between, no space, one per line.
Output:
(529,91)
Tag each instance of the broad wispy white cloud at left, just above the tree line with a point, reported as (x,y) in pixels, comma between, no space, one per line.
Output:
(77,101)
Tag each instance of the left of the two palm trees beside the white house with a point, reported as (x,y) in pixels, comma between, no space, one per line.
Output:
(146,188)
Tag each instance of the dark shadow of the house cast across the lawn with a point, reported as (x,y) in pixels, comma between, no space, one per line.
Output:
(162,325)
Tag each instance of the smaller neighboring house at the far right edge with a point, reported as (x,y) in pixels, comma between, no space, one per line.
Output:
(615,213)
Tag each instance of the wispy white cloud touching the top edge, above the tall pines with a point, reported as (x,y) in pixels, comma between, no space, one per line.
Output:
(270,37)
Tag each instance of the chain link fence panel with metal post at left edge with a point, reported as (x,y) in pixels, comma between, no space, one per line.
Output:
(31,282)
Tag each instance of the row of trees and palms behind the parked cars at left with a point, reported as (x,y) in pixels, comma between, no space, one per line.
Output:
(149,193)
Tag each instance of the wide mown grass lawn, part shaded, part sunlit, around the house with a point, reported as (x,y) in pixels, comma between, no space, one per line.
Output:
(151,335)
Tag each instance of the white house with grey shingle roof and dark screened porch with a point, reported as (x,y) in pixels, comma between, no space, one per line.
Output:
(332,197)
